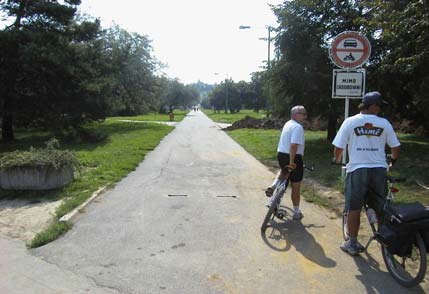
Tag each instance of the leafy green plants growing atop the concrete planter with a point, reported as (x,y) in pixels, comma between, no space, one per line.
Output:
(49,156)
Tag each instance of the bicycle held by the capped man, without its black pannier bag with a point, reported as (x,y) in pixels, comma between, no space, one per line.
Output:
(408,268)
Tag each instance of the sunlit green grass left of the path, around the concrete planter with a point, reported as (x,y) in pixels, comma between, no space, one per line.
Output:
(104,164)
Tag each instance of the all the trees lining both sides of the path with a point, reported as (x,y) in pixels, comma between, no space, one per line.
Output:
(59,70)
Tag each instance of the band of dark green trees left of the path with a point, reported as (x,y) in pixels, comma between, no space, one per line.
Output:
(59,70)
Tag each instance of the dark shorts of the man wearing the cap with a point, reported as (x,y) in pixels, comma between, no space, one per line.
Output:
(366,185)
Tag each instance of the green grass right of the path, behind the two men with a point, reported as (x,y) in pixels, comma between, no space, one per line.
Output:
(413,163)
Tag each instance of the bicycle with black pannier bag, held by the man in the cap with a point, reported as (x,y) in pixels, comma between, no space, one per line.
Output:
(406,261)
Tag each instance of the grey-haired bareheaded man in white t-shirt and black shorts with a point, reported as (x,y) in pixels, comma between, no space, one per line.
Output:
(290,151)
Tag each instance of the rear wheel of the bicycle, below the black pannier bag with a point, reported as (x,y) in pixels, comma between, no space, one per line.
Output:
(410,270)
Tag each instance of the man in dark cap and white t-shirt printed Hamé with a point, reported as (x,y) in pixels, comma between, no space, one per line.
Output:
(366,136)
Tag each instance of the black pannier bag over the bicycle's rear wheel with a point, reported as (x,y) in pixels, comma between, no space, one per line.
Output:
(401,222)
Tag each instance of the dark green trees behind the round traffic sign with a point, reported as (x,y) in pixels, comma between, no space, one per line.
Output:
(398,32)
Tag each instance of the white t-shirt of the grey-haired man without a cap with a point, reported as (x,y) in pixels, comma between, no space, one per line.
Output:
(292,133)
